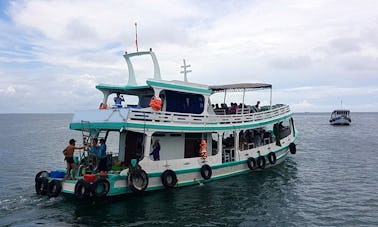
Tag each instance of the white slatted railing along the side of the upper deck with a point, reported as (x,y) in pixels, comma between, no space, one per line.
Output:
(169,117)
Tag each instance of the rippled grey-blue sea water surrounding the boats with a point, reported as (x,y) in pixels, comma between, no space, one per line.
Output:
(331,181)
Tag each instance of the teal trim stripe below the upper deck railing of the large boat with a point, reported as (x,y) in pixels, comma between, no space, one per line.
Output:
(203,127)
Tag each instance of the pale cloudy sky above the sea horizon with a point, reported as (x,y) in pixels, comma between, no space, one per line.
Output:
(317,54)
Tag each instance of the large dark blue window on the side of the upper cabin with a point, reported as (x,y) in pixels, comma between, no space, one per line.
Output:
(184,102)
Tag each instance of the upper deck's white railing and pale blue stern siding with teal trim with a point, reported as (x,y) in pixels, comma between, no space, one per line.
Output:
(115,119)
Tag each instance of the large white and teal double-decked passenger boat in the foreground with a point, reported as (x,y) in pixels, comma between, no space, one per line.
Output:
(198,143)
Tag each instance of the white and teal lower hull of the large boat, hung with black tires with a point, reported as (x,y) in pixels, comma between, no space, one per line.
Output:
(136,179)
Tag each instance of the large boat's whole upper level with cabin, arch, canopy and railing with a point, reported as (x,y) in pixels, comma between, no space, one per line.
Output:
(182,104)
